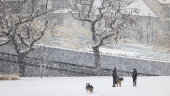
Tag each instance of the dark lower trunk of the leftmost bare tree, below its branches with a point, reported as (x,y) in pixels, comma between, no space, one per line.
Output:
(21,65)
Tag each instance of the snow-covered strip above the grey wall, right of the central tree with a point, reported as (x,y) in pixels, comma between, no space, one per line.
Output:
(135,51)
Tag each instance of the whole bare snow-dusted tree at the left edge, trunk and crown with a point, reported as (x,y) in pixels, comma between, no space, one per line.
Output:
(18,27)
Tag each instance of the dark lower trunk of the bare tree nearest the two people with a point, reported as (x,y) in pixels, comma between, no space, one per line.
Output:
(97,60)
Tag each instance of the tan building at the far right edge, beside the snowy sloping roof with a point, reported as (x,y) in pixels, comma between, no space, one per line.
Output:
(162,9)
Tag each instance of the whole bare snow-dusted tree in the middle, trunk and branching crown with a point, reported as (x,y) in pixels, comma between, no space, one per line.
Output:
(114,11)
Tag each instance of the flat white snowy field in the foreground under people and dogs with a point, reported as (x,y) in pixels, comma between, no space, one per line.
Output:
(75,86)
